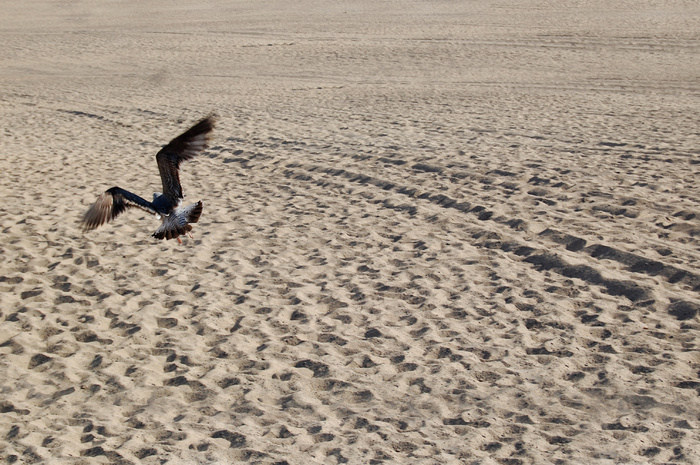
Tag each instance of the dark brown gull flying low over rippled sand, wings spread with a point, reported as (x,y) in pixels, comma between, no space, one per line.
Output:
(167,206)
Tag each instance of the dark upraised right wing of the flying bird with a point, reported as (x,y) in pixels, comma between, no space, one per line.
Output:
(182,148)
